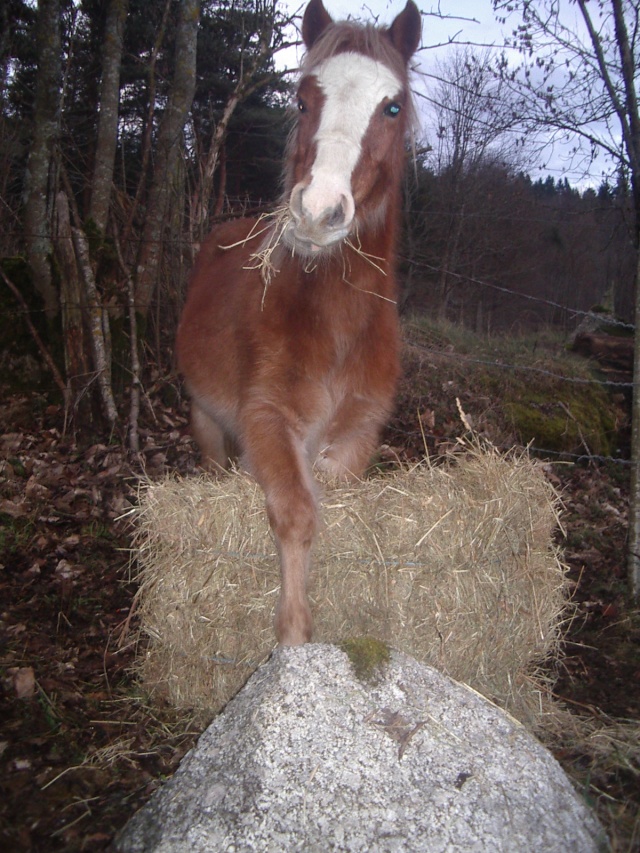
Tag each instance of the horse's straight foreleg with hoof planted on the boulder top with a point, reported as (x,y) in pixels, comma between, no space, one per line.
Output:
(275,456)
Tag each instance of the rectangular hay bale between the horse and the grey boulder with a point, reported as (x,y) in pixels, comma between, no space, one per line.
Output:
(452,564)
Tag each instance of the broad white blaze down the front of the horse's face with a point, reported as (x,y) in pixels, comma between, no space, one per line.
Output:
(353,86)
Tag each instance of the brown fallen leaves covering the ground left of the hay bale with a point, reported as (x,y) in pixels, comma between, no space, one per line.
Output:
(67,704)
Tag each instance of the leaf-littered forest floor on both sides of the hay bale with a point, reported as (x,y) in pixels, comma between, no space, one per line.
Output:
(81,749)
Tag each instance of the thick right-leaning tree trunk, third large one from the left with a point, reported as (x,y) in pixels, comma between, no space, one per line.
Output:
(168,153)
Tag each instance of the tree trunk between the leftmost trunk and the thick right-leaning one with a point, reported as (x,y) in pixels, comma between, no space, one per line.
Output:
(108,115)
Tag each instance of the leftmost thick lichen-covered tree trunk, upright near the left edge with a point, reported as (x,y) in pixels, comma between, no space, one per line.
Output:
(45,133)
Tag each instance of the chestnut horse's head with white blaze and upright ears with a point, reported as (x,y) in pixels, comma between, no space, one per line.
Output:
(353,107)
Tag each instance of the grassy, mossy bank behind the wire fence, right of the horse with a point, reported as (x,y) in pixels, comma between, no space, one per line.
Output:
(528,389)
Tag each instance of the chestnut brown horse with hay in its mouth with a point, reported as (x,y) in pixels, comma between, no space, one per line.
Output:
(289,337)
